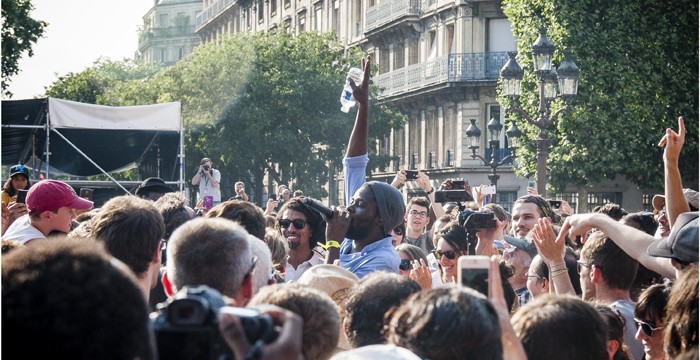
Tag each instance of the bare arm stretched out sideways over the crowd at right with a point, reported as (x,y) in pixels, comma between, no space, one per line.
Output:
(632,241)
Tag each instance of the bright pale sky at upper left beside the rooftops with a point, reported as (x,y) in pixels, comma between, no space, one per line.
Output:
(78,33)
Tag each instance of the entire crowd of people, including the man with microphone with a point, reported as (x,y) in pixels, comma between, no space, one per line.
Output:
(376,278)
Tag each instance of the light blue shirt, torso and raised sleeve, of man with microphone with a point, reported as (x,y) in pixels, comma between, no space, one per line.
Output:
(379,255)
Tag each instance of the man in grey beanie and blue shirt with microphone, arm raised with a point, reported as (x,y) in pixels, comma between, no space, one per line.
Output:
(374,208)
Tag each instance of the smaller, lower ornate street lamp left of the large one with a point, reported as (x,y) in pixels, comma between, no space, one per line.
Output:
(474,134)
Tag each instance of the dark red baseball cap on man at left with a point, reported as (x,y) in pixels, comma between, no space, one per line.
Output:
(51,195)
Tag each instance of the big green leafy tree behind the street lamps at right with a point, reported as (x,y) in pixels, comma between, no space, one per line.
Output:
(638,63)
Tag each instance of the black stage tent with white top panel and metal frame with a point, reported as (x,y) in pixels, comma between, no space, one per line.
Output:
(84,139)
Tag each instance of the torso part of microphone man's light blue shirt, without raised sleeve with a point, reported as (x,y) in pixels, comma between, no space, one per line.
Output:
(379,255)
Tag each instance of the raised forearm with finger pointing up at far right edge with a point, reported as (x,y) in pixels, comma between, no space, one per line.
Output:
(672,143)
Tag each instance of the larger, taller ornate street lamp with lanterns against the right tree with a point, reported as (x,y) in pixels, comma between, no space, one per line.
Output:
(567,76)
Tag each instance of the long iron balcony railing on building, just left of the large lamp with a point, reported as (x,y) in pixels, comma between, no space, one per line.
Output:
(461,67)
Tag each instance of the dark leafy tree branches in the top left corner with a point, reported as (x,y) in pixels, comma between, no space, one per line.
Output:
(19,33)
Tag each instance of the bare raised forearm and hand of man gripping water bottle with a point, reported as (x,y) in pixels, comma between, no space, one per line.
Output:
(357,145)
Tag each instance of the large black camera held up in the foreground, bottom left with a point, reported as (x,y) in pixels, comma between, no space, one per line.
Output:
(186,325)
